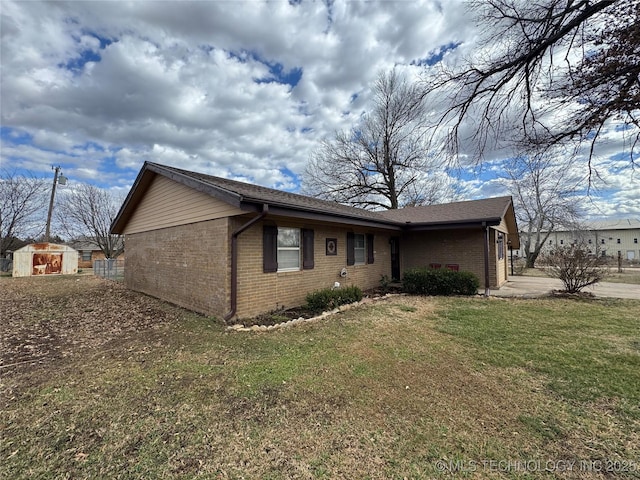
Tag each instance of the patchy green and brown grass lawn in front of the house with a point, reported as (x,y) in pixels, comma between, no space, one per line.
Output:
(405,388)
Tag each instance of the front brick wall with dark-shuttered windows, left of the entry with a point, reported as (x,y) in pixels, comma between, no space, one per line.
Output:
(260,292)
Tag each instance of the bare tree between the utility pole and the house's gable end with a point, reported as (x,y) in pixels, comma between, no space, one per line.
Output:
(87,212)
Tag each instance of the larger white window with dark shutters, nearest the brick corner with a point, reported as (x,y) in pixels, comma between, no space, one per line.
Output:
(282,248)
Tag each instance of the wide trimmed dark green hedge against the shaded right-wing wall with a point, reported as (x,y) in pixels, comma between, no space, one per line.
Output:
(429,281)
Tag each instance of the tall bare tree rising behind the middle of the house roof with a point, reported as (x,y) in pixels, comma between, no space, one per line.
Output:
(382,162)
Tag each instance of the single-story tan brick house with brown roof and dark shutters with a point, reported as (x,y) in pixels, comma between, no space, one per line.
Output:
(233,249)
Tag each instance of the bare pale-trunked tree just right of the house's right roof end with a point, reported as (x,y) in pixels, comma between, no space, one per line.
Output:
(544,196)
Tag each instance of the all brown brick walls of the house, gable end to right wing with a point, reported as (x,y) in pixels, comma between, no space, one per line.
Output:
(189,265)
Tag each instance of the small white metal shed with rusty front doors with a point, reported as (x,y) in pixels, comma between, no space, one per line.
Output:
(45,259)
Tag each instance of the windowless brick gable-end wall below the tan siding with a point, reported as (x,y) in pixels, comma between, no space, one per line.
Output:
(187,265)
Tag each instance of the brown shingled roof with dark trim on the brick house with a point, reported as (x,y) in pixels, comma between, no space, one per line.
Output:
(251,198)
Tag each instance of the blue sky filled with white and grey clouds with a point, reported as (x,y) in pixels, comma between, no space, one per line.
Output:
(244,90)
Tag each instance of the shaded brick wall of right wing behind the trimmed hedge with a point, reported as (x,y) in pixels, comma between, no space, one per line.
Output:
(464,247)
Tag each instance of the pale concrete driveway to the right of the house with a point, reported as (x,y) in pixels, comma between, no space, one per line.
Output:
(531,287)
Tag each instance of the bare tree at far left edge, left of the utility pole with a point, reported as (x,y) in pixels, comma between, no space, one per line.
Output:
(22,206)
